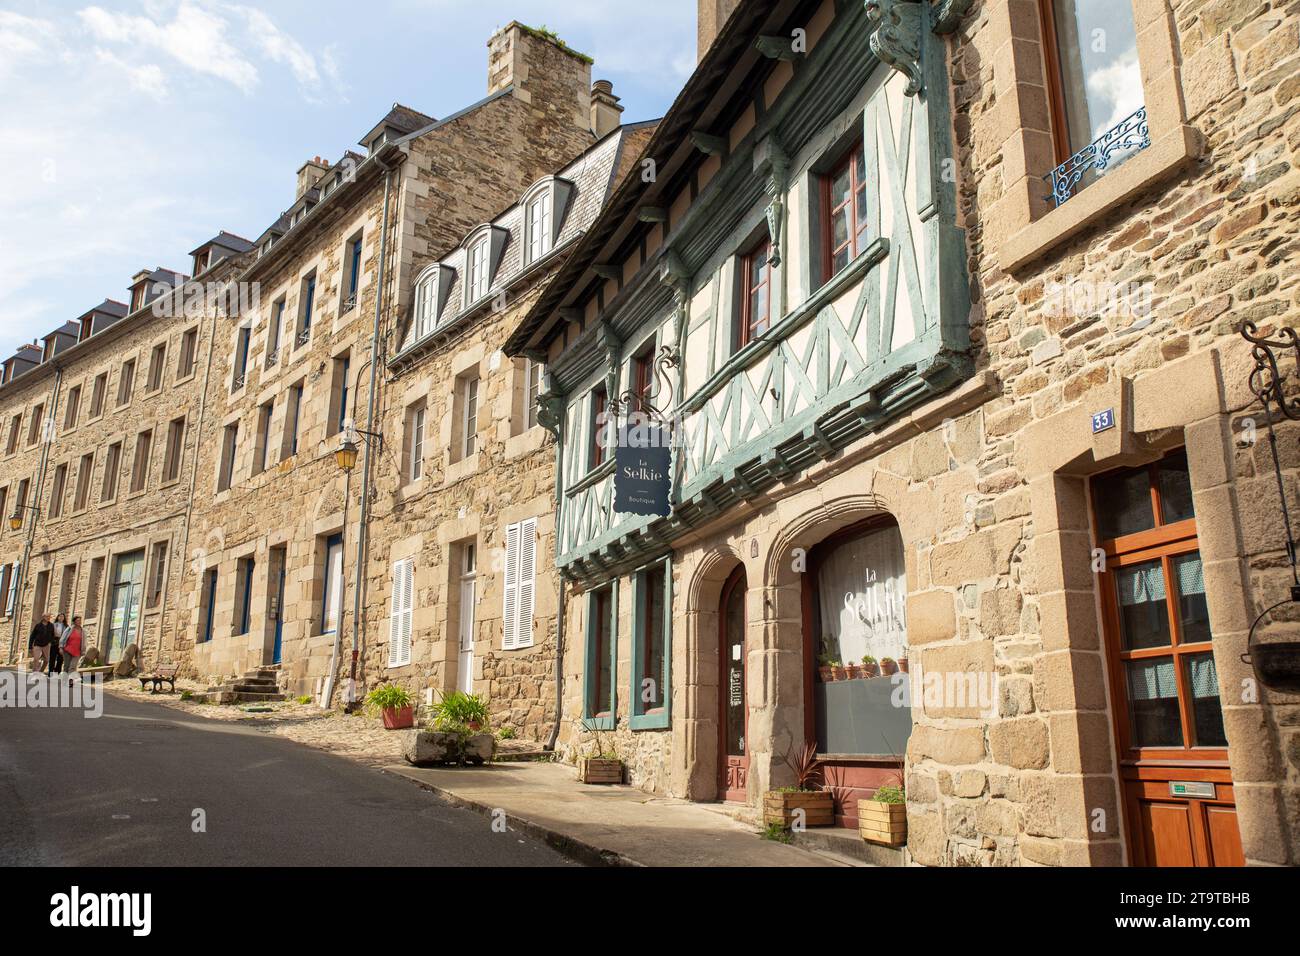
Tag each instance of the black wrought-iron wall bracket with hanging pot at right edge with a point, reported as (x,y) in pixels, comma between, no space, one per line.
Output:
(1277,664)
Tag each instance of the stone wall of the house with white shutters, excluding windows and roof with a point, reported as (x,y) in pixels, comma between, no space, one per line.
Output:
(509,479)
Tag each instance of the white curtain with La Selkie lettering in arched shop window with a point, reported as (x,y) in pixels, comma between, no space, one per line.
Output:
(863,592)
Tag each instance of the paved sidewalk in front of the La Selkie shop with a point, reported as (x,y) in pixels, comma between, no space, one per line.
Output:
(618,827)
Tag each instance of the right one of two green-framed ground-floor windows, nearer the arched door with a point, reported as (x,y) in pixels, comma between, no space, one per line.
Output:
(652,648)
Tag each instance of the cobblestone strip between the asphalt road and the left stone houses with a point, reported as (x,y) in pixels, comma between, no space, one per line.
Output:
(358,737)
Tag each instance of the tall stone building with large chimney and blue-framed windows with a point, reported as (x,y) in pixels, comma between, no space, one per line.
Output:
(279,525)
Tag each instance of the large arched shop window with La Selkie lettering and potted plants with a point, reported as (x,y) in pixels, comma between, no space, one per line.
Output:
(860,641)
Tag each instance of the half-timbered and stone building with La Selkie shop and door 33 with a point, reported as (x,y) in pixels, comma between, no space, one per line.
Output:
(943,304)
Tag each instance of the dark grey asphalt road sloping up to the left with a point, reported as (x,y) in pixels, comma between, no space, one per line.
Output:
(123,791)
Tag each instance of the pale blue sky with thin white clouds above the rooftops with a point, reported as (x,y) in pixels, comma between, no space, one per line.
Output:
(135,131)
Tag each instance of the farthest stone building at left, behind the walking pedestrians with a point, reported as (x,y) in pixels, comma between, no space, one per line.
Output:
(103,419)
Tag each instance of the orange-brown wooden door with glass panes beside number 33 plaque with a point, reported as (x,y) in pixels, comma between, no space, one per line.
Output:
(1169,716)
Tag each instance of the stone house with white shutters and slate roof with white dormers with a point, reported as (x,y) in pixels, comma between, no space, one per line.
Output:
(463,516)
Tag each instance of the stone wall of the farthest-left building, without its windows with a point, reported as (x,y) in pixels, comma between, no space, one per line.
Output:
(157,514)
